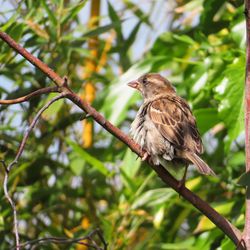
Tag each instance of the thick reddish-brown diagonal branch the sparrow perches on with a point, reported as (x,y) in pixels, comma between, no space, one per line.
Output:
(222,223)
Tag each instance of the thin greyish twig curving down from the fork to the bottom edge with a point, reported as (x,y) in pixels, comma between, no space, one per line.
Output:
(19,153)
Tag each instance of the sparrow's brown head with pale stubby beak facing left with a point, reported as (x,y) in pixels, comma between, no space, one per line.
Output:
(151,85)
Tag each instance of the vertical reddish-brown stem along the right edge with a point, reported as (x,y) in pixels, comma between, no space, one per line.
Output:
(246,234)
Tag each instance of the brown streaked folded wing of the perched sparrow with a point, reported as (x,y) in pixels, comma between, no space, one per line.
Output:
(174,120)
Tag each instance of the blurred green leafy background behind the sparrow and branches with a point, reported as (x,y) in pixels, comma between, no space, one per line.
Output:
(63,189)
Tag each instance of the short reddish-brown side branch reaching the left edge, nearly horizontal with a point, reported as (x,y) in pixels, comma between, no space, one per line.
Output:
(29,96)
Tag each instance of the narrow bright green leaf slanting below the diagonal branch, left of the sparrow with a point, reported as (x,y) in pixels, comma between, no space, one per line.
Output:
(98,165)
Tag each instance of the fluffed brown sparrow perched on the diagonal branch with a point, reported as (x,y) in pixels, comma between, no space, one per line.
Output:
(165,126)
